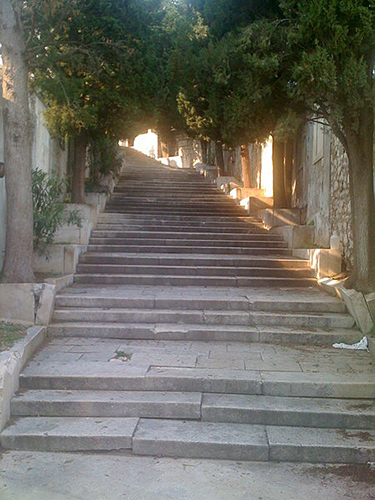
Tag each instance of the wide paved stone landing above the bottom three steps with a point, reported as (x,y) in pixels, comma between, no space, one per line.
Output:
(167,353)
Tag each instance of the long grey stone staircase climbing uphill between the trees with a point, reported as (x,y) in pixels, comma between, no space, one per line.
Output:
(191,331)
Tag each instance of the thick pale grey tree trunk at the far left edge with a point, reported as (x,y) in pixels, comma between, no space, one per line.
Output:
(18,266)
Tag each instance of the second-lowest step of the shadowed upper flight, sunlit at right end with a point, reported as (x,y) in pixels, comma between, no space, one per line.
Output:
(169,270)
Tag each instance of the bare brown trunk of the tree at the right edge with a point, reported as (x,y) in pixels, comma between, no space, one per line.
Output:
(361,181)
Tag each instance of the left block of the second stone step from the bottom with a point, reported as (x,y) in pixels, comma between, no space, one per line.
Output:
(176,405)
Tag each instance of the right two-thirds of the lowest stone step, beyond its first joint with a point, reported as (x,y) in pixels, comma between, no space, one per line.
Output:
(252,442)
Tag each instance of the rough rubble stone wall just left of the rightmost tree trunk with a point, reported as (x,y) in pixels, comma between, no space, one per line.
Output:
(340,208)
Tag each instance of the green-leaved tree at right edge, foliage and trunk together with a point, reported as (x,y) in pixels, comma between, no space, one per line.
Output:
(333,74)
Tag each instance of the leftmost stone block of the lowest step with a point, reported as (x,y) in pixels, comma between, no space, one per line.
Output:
(69,434)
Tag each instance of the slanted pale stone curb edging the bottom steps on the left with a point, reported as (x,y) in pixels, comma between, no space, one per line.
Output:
(11,364)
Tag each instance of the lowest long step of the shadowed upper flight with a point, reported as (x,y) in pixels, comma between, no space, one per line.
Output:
(134,279)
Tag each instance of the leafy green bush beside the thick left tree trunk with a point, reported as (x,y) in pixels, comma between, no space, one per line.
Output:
(49,210)
